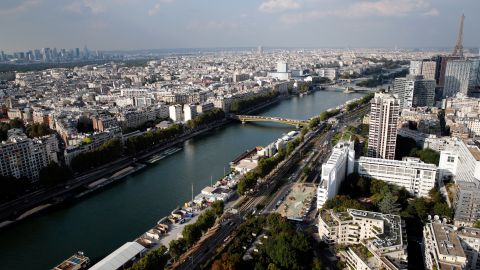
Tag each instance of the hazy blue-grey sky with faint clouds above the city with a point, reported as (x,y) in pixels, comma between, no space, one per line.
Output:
(145,24)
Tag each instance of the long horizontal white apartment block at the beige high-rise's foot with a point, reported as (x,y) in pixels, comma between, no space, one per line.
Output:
(416,177)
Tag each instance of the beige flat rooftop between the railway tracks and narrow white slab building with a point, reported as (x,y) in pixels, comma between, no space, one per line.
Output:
(298,201)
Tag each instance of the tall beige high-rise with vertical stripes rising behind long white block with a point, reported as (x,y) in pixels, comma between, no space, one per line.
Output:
(382,136)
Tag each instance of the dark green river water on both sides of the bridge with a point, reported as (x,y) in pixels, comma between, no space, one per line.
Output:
(101,222)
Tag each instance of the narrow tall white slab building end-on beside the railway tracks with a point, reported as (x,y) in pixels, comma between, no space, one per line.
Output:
(334,170)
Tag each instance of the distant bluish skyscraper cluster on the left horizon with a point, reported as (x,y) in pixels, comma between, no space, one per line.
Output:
(47,55)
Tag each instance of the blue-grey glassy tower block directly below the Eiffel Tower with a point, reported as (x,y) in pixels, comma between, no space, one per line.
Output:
(457,75)
